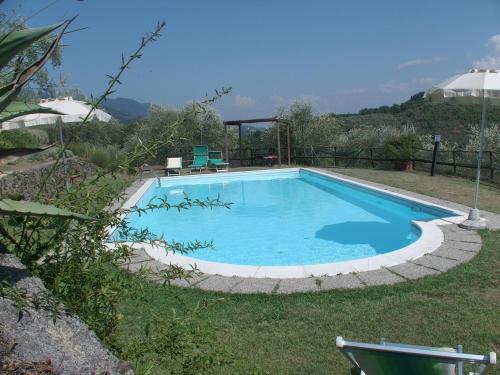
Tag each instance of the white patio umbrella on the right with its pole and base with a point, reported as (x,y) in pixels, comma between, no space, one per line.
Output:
(478,86)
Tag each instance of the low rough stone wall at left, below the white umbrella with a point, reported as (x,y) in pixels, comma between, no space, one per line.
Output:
(25,182)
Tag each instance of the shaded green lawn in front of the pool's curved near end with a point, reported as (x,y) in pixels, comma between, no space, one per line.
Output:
(287,334)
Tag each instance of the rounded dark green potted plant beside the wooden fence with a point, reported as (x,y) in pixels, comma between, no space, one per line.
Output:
(402,149)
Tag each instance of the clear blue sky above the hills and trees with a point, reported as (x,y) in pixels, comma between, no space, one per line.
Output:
(340,56)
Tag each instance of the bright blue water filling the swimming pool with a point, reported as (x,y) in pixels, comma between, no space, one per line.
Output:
(284,218)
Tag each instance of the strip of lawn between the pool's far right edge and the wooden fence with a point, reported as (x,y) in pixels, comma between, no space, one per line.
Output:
(451,188)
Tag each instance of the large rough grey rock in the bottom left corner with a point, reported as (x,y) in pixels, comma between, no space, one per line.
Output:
(33,336)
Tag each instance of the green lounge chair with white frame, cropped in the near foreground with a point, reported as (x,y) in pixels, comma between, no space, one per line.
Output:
(397,359)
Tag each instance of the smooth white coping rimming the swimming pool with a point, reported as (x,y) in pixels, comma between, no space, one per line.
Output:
(430,239)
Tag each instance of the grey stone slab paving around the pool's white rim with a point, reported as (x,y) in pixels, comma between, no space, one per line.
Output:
(460,246)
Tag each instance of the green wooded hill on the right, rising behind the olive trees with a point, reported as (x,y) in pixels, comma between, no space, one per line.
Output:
(451,120)
